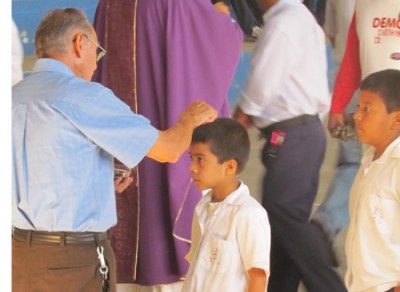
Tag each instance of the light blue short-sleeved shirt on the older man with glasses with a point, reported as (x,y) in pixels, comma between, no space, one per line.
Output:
(65,133)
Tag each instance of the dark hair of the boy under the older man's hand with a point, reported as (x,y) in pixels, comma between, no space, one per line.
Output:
(227,139)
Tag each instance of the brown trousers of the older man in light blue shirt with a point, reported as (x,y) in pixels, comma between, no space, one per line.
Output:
(45,267)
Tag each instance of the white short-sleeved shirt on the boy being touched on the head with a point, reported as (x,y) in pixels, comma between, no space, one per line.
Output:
(228,239)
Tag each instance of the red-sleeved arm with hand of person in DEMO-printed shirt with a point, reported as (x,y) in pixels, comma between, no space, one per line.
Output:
(348,78)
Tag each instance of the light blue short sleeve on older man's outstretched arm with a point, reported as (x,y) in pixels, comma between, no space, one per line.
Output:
(110,124)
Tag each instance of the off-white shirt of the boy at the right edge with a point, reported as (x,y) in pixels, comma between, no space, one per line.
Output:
(373,238)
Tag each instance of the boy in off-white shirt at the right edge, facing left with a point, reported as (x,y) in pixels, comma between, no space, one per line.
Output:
(373,238)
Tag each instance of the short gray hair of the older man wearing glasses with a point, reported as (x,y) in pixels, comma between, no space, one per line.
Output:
(54,31)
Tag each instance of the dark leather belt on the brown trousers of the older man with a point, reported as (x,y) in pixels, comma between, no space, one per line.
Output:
(58,237)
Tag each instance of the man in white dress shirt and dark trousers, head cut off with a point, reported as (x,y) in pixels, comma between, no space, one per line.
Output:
(286,93)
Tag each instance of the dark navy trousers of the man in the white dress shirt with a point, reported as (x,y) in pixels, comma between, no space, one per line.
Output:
(298,251)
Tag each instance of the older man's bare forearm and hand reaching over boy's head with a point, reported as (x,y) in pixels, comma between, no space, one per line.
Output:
(172,143)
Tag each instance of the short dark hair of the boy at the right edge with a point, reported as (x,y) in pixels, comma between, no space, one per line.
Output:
(386,84)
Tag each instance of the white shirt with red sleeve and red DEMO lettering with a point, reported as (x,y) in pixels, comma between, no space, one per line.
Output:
(373,44)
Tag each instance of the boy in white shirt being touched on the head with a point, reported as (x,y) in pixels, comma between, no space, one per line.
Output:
(230,229)
